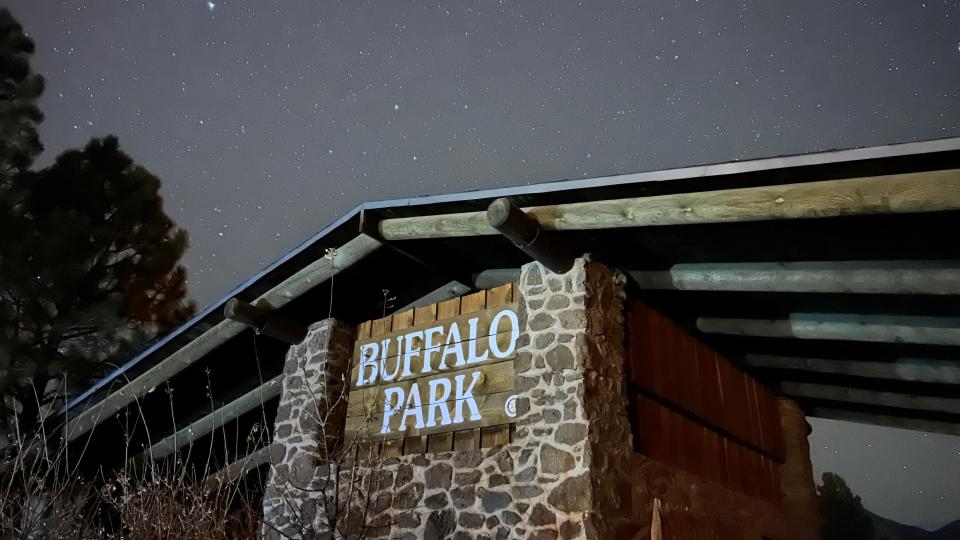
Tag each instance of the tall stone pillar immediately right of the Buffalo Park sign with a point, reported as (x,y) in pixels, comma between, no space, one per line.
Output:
(573,435)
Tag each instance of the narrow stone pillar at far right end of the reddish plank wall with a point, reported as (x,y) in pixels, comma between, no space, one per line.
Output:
(796,474)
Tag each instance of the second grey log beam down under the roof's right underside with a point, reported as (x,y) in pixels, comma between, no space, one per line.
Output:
(842,327)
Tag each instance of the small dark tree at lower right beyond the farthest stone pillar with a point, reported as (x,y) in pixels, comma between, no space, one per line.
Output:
(842,516)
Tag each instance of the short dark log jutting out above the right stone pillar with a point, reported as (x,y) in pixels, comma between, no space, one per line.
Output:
(526,233)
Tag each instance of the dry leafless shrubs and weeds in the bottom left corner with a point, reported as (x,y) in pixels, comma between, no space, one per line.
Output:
(42,497)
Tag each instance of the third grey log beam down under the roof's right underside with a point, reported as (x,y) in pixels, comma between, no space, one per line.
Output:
(905,369)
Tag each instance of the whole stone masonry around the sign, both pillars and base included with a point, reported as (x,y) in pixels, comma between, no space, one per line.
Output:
(570,471)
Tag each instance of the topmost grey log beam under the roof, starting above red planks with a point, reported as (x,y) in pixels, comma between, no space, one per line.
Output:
(858,277)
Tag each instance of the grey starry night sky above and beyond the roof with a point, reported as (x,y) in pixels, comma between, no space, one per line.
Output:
(267,120)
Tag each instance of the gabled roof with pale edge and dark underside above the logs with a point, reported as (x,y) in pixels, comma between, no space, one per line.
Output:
(826,375)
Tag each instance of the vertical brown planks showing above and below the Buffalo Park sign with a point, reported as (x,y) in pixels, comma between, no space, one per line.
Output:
(466,439)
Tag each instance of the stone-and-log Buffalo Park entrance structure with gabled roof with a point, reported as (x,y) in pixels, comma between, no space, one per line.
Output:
(626,357)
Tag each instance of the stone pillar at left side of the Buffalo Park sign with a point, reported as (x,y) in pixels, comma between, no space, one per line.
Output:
(307,428)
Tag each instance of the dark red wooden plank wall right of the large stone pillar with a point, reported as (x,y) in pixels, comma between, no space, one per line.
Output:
(694,410)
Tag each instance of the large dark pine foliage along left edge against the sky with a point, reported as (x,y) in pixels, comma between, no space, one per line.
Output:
(89,261)
